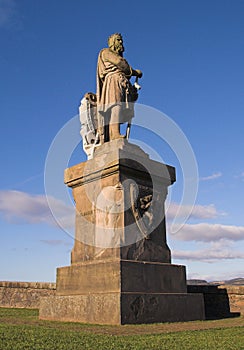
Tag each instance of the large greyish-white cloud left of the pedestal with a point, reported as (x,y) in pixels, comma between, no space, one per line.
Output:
(20,206)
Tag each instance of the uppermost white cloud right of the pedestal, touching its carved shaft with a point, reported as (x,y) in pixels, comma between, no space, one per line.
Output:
(197,212)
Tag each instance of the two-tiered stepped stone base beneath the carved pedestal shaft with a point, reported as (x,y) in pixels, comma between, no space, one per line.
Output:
(122,292)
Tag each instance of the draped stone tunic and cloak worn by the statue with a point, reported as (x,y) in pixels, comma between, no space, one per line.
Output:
(113,85)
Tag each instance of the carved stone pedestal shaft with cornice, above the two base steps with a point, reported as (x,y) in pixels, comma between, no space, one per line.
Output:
(108,226)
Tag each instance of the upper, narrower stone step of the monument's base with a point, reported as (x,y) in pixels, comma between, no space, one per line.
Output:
(120,275)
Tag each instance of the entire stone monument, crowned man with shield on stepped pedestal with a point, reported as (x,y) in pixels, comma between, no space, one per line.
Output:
(121,270)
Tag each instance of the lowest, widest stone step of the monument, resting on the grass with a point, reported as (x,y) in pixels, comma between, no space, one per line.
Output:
(123,308)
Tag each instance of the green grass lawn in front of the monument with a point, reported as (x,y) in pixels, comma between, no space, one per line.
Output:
(20,329)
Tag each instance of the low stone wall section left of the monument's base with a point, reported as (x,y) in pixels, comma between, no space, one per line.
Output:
(24,294)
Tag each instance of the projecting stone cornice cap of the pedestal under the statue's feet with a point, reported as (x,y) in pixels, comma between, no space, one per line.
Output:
(133,160)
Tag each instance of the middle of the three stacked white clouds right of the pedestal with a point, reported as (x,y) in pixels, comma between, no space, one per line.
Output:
(205,232)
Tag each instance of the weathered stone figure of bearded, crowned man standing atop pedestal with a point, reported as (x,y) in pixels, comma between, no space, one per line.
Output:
(115,93)
